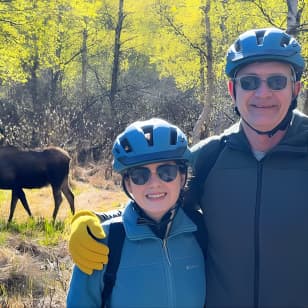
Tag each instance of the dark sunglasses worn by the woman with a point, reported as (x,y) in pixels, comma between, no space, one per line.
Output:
(141,175)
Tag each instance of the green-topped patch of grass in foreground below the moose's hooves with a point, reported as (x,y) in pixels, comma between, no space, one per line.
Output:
(35,265)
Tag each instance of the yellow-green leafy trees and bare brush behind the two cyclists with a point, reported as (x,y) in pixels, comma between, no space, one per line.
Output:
(76,73)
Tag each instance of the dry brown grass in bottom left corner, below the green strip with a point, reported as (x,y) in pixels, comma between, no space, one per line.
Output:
(33,276)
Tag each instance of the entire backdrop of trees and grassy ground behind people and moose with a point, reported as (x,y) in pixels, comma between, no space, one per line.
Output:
(75,73)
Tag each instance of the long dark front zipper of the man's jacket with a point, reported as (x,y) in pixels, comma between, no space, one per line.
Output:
(257,234)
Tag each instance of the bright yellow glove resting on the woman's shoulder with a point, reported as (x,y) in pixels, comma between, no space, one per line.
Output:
(87,253)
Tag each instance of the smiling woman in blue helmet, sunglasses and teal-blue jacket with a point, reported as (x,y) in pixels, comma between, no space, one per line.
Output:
(161,263)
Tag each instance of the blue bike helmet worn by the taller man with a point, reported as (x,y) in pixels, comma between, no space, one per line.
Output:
(270,44)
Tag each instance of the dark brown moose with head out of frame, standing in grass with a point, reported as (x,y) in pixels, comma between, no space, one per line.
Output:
(35,169)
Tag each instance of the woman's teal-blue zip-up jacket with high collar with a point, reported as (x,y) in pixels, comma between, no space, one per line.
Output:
(152,272)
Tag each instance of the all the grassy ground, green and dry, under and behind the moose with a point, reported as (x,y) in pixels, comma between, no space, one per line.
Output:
(35,265)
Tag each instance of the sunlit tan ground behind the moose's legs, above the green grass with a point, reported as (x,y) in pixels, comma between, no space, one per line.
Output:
(92,192)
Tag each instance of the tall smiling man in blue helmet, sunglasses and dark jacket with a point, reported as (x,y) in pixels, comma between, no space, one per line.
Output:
(255,197)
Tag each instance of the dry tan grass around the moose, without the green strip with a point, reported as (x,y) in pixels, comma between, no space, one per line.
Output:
(32,275)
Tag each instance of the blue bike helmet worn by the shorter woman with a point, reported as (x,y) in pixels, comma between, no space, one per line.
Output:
(145,142)
